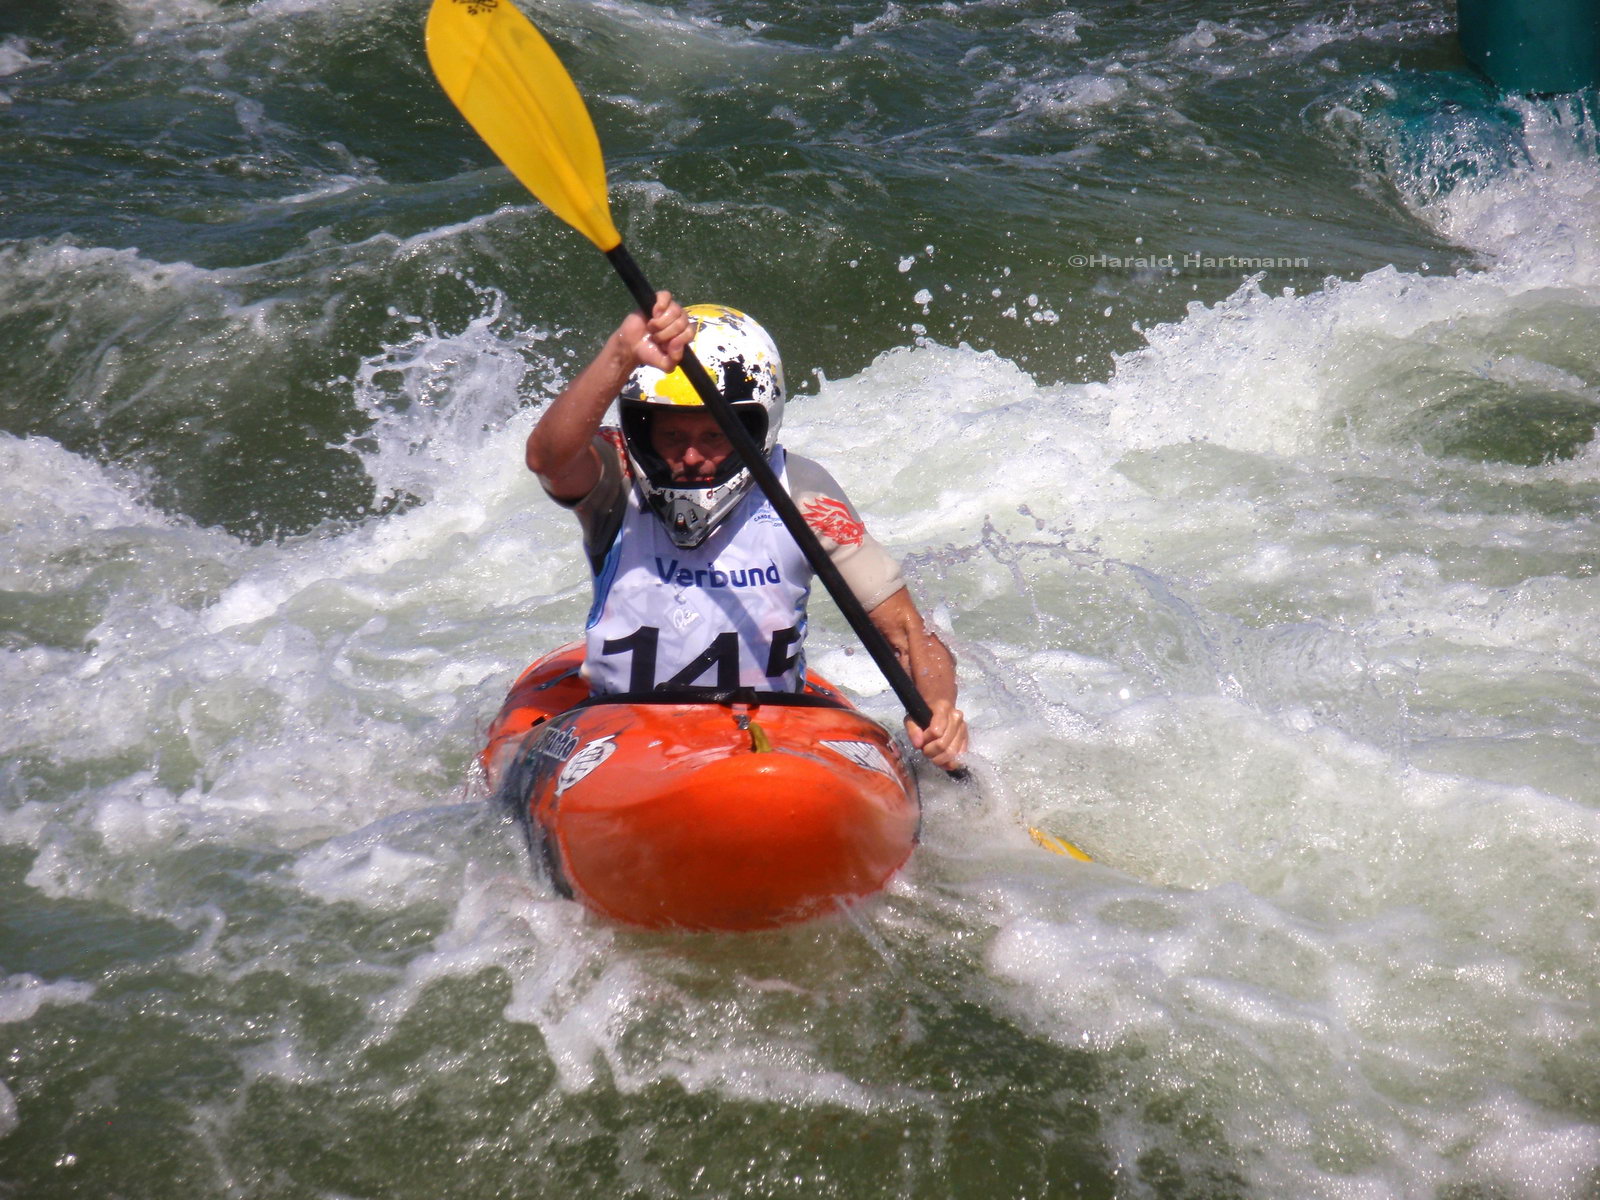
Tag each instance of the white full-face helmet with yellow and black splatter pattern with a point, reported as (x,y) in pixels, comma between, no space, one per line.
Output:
(742,358)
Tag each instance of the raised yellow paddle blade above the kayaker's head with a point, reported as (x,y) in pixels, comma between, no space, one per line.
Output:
(513,89)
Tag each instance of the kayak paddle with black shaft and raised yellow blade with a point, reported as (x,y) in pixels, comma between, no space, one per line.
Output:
(511,87)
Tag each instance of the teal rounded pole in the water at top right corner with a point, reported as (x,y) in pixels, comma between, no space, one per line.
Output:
(1542,47)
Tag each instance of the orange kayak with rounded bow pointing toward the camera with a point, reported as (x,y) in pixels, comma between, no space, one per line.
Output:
(703,810)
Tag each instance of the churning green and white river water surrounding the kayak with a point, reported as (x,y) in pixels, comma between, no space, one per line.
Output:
(1273,593)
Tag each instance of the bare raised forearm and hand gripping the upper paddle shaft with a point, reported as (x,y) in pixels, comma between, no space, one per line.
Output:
(561,447)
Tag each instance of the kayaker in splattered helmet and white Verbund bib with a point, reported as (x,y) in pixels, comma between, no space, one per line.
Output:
(697,580)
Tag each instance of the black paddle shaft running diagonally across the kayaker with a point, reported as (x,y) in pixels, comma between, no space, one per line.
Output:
(783,505)
